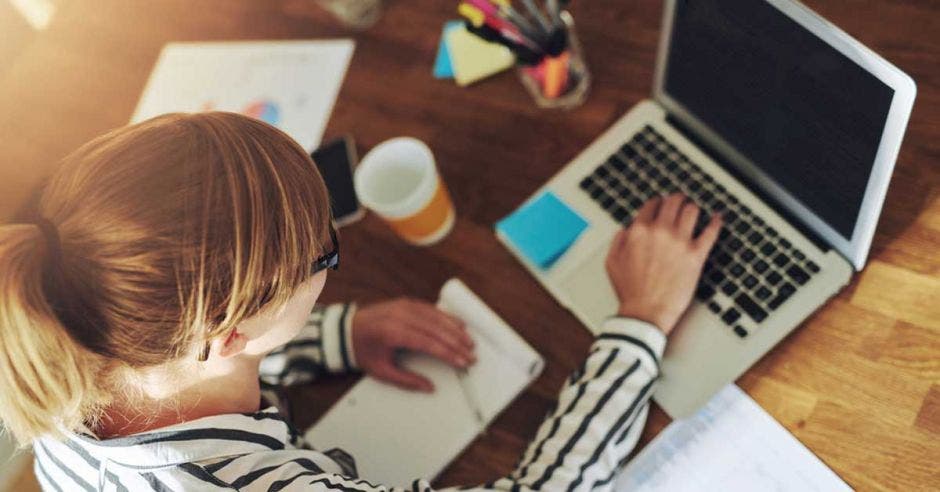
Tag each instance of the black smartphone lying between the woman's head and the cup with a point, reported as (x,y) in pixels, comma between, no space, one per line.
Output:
(336,160)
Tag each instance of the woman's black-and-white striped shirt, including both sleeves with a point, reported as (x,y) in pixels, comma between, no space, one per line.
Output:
(580,445)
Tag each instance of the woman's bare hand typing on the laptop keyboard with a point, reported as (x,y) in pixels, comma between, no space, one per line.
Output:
(655,263)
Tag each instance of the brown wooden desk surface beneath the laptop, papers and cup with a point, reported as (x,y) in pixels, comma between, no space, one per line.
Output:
(858,383)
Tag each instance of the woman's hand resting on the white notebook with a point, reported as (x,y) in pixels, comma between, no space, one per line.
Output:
(381,330)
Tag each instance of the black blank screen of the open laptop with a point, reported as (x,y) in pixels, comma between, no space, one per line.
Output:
(801,111)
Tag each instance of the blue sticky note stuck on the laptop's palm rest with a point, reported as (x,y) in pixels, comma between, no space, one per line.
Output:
(543,229)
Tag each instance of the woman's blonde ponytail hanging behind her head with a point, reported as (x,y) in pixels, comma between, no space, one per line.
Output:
(47,381)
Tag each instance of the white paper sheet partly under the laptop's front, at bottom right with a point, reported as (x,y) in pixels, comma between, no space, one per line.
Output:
(731,445)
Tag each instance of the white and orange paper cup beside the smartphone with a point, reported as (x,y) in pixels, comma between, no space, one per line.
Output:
(399,181)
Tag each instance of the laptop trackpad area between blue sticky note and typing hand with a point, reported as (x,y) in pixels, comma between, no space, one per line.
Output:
(589,292)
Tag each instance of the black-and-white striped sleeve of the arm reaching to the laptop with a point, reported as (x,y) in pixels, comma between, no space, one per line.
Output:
(600,413)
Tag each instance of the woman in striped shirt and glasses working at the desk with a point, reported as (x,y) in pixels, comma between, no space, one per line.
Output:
(164,291)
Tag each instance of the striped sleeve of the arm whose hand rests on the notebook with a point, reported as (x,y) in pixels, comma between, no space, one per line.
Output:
(323,345)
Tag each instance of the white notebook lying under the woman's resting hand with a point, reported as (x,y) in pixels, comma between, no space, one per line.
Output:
(397,436)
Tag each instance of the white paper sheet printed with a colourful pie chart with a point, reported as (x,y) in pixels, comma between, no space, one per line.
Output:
(290,84)
